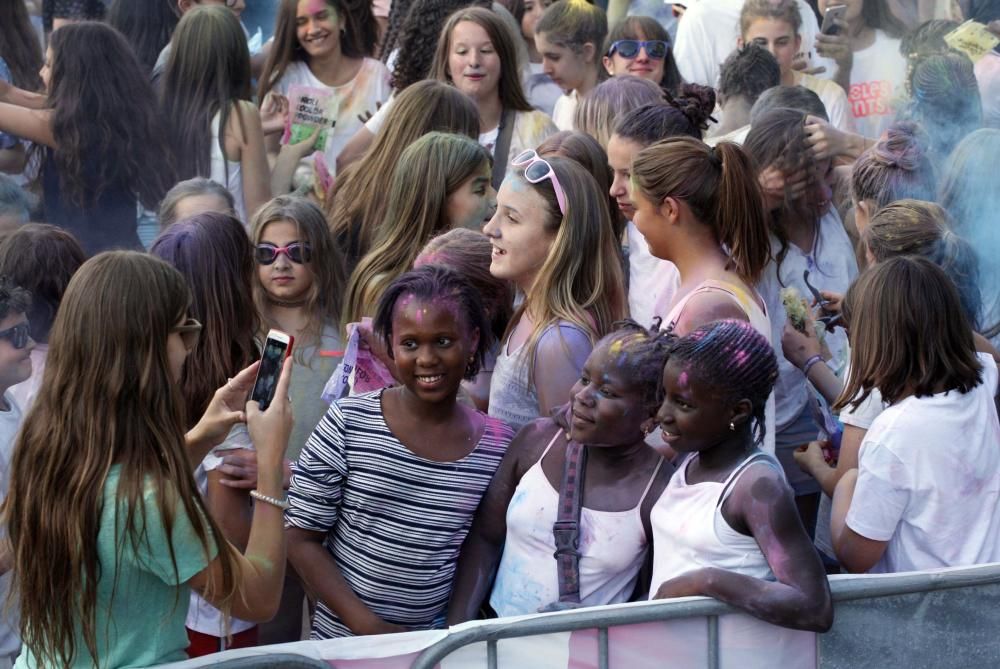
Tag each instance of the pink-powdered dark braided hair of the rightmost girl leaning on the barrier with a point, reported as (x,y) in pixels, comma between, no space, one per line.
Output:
(733,358)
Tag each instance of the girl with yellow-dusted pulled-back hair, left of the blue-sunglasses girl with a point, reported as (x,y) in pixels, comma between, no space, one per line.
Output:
(569,36)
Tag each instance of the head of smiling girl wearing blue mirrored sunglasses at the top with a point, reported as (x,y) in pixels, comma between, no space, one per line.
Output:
(640,46)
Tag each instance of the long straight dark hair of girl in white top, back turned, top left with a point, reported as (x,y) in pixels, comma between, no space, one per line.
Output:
(208,73)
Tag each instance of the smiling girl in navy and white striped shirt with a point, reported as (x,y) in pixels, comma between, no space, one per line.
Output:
(386,486)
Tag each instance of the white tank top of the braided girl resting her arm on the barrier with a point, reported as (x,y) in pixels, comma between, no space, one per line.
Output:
(689,531)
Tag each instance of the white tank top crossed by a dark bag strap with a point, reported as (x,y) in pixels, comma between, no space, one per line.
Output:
(612,545)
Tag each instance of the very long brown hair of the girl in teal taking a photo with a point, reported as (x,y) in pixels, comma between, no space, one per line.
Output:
(115,317)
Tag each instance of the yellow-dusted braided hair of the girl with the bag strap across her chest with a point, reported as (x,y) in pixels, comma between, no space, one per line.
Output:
(640,354)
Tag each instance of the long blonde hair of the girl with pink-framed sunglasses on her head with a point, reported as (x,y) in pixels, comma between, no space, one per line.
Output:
(581,281)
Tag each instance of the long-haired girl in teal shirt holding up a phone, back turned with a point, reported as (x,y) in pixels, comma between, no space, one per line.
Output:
(132,526)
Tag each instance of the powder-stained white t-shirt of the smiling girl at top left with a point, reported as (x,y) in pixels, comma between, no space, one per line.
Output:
(358,96)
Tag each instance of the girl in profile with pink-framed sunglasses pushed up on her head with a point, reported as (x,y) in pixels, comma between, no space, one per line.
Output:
(553,239)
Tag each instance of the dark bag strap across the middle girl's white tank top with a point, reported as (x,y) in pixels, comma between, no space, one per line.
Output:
(566,529)
